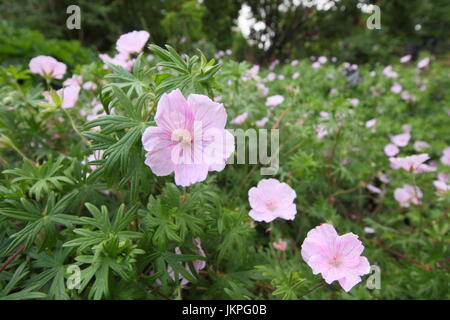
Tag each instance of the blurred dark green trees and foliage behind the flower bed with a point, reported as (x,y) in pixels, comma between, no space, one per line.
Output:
(276,28)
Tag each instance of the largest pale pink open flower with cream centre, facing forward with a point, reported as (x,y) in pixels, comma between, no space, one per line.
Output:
(190,138)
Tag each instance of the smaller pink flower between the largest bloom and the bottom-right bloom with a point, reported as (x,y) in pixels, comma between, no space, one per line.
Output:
(272,199)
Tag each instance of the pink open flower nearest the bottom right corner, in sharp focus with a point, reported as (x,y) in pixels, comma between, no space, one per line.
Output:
(335,257)
